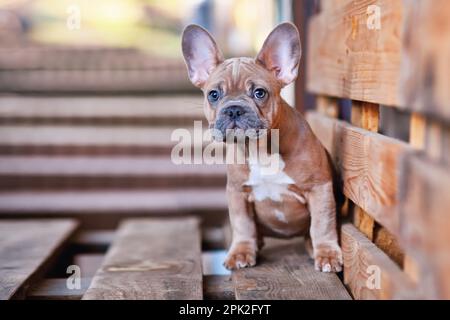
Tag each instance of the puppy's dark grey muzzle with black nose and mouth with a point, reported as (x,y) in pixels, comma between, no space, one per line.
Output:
(232,124)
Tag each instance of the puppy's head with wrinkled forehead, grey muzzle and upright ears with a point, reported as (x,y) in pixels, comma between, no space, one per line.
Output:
(242,93)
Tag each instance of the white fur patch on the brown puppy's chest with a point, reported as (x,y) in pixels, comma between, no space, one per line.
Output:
(270,181)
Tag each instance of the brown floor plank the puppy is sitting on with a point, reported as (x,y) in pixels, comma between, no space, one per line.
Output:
(285,272)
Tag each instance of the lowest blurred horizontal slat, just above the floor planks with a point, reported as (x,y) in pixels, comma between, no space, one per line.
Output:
(105,209)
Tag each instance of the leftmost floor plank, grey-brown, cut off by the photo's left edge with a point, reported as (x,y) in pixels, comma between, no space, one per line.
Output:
(27,248)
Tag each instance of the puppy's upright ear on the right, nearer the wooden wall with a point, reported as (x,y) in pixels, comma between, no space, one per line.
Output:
(281,53)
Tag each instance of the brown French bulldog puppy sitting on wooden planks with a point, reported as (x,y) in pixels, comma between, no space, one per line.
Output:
(297,199)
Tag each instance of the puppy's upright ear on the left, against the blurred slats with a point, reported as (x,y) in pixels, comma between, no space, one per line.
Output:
(201,54)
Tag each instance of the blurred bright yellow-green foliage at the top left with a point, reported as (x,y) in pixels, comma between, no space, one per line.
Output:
(151,25)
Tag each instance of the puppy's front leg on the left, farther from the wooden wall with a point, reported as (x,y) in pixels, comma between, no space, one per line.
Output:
(244,245)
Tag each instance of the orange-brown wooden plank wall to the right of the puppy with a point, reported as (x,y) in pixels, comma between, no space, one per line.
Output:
(397,215)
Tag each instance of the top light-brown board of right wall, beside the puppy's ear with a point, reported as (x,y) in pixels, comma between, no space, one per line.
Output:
(348,59)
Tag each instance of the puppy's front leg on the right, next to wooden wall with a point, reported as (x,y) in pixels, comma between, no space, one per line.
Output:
(326,250)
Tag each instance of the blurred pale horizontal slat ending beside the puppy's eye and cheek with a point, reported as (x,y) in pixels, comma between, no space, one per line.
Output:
(120,110)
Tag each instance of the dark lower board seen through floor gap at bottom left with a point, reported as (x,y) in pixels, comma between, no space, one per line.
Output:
(56,289)
